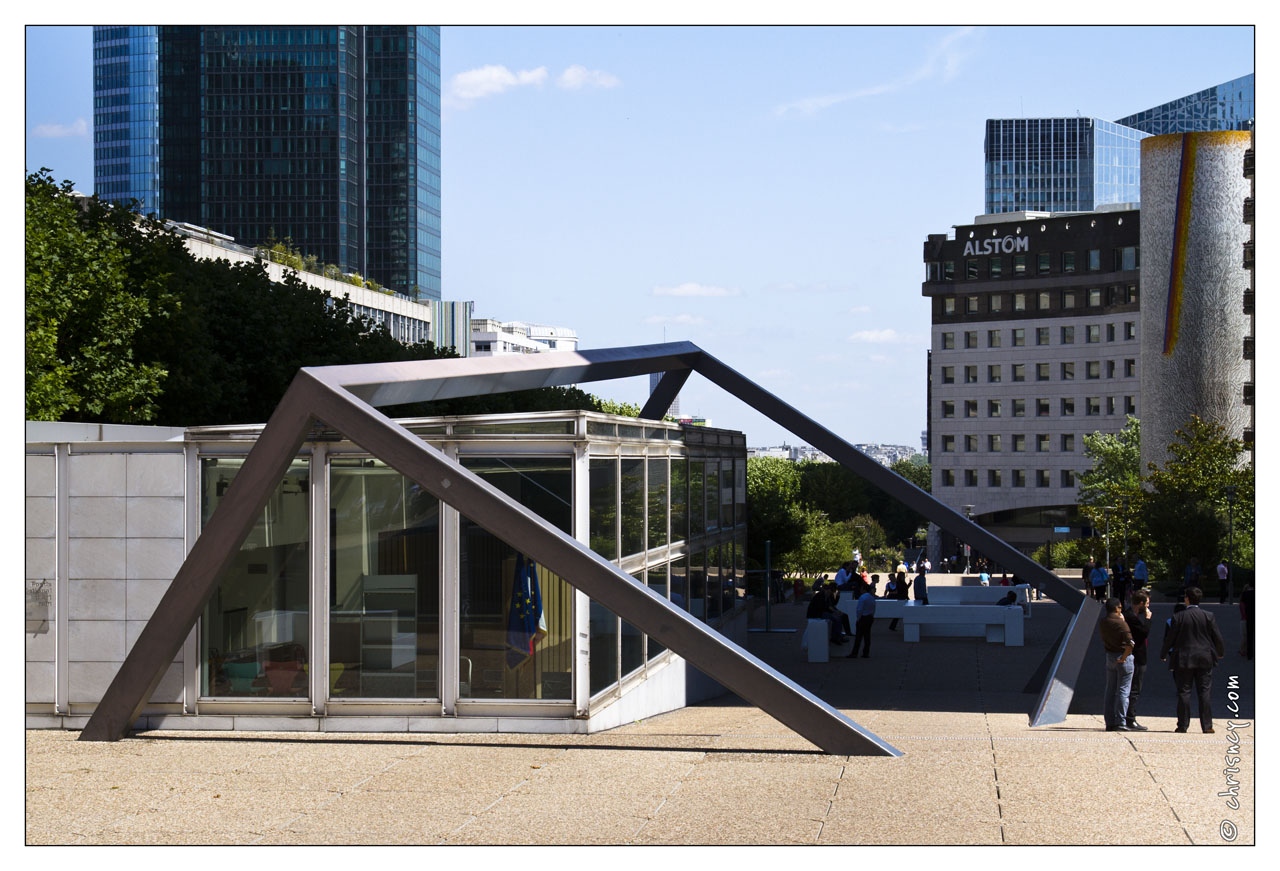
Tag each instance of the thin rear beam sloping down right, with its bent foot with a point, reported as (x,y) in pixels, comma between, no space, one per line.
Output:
(1060,685)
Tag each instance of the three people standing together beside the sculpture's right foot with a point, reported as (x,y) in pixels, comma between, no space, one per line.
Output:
(1192,646)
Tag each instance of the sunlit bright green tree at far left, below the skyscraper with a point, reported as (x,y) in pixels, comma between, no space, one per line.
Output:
(85,305)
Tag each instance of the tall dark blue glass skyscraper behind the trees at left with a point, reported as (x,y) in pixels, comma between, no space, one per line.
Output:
(327,136)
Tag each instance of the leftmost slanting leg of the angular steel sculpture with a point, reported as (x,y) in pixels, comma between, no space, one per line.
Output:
(211,555)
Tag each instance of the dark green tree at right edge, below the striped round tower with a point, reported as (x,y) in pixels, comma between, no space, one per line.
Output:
(1186,508)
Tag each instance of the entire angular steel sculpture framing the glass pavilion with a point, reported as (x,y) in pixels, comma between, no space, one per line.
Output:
(346,400)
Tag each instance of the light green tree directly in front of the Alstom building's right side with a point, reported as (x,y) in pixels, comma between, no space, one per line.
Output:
(1112,491)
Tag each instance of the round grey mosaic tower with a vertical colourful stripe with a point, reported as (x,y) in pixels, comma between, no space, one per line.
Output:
(1194,326)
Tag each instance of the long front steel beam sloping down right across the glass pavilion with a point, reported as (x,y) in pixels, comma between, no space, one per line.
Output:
(586,571)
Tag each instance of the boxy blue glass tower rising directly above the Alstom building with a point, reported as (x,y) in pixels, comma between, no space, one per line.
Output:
(1060,165)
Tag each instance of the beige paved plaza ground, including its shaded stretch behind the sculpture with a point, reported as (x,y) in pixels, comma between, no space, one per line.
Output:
(721,773)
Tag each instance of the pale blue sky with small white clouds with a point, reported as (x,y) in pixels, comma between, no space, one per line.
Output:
(761,191)
